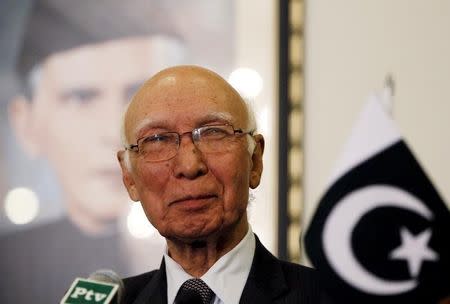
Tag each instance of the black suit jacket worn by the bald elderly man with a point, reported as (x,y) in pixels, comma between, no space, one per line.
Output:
(270,281)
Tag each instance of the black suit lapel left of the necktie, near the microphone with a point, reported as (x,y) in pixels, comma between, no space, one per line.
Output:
(155,292)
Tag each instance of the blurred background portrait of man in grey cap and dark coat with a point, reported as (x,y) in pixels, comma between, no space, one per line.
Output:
(79,63)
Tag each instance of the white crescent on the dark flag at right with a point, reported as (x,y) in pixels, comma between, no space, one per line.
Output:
(339,227)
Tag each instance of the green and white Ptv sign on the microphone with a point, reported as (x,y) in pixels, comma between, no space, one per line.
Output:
(85,291)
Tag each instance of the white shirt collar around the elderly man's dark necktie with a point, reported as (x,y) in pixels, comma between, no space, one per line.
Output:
(228,274)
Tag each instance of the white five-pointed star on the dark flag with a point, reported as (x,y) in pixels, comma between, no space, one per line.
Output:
(414,250)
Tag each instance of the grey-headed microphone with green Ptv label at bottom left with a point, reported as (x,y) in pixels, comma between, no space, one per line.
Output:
(103,286)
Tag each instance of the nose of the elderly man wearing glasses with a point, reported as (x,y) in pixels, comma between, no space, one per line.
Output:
(189,161)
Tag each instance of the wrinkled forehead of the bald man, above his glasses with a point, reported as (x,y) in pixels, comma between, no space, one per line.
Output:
(177,103)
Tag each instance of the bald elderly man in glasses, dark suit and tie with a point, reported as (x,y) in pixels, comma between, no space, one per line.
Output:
(191,155)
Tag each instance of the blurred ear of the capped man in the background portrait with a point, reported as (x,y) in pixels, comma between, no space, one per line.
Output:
(20,112)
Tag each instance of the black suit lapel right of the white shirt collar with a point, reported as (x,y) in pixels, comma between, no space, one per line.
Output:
(266,280)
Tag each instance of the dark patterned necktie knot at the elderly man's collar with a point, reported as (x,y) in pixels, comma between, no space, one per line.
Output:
(194,291)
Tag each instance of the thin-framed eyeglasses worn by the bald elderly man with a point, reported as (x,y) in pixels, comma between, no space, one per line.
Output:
(208,139)
